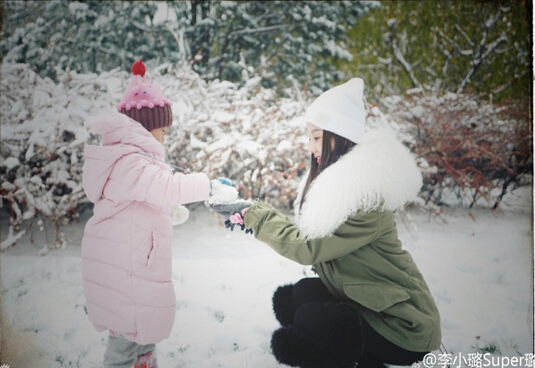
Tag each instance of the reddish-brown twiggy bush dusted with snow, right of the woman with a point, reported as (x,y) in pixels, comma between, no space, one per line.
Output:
(470,151)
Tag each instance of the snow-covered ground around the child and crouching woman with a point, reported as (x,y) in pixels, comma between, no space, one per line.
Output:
(478,266)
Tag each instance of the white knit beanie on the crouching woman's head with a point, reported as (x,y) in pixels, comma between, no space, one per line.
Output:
(340,110)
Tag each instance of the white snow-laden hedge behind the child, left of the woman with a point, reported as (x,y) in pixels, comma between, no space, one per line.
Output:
(244,133)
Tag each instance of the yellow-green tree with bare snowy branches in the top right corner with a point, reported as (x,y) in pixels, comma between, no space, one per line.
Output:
(458,46)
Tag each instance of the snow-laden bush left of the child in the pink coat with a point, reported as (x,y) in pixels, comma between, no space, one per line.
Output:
(42,145)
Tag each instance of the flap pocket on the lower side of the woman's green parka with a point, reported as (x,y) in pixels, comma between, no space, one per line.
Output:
(376,297)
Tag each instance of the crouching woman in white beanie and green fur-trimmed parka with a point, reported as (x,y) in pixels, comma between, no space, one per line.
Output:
(370,305)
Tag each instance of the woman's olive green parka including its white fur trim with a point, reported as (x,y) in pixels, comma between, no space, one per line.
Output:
(350,237)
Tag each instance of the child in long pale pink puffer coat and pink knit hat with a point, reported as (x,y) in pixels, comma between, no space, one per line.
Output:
(126,247)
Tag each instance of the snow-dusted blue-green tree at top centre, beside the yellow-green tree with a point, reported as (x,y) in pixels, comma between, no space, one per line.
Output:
(234,40)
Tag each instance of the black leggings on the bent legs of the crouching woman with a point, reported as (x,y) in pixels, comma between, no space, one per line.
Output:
(320,331)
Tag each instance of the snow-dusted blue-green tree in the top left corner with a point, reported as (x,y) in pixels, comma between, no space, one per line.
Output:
(92,36)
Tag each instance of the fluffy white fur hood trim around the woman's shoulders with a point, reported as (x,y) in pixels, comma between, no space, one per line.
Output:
(377,174)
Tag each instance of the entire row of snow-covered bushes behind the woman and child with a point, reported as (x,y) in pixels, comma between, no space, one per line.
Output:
(248,133)
